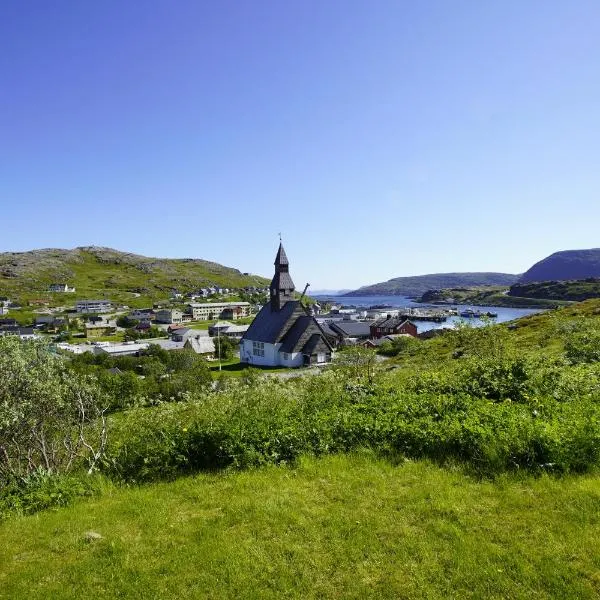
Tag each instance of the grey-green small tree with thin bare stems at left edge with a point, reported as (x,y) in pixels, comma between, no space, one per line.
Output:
(50,417)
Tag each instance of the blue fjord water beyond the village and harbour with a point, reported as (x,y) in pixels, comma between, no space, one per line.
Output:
(504,314)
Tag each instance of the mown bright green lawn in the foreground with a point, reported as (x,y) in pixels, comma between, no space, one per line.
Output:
(348,526)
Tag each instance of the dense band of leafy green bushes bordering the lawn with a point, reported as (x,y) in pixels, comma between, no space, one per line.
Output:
(273,422)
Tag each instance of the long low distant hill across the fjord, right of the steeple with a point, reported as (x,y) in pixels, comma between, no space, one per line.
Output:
(419,284)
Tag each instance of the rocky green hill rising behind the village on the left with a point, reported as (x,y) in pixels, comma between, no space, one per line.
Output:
(98,272)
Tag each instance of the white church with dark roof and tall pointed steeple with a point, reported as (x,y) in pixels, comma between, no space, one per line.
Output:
(284,333)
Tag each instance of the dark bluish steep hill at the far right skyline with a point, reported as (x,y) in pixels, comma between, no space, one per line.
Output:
(567,264)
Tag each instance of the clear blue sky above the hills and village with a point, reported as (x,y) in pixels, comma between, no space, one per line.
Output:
(382,138)
